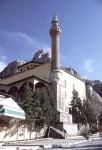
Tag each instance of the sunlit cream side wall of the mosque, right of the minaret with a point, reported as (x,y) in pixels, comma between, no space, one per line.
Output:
(65,85)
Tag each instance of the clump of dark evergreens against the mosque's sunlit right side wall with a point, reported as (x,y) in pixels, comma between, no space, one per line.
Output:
(83,112)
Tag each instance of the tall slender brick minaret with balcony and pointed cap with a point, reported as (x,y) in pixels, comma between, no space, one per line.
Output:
(55,49)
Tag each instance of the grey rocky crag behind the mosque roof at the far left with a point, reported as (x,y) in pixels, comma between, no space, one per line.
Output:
(11,69)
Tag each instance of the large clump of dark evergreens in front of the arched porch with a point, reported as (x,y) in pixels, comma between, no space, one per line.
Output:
(39,107)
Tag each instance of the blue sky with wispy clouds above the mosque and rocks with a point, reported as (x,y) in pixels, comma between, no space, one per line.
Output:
(25,24)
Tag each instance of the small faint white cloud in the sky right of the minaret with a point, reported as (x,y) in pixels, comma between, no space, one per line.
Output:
(89,65)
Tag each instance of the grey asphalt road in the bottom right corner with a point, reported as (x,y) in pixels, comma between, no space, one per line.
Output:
(94,145)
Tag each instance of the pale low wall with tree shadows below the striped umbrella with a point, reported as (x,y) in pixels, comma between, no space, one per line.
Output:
(15,132)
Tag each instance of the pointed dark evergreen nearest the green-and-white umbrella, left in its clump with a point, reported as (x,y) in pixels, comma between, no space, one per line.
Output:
(30,103)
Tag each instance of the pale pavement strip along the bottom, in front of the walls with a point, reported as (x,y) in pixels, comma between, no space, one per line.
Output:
(48,143)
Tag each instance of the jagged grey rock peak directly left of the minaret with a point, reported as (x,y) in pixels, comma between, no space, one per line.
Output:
(41,56)
